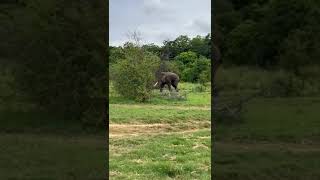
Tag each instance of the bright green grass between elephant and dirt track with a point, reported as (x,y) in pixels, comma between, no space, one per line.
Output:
(161,109)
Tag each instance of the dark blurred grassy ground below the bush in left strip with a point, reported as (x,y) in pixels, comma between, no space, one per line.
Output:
(35,145)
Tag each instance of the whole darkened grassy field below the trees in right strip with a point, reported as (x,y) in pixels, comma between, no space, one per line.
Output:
(279,136)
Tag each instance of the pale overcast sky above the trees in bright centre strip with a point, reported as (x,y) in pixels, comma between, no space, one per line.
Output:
(158,20)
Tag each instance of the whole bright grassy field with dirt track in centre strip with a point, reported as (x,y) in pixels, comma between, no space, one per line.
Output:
(165,138)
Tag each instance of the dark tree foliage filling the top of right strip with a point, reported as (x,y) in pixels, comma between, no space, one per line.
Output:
(268,33)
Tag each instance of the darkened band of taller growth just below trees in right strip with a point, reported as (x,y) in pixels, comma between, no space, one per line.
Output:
(275,83)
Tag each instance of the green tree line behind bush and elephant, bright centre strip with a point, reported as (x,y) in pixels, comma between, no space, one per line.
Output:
(188,57)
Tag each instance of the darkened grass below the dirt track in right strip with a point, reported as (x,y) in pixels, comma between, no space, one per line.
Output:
(258,161)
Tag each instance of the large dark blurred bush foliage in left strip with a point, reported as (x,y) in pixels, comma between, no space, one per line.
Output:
(61,57)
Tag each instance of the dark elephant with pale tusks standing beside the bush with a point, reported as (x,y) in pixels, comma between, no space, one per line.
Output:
(168,78)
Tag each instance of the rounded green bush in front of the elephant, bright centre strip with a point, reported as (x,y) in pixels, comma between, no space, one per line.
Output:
(134,75)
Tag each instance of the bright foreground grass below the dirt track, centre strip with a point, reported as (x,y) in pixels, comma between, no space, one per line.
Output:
(176,156)
